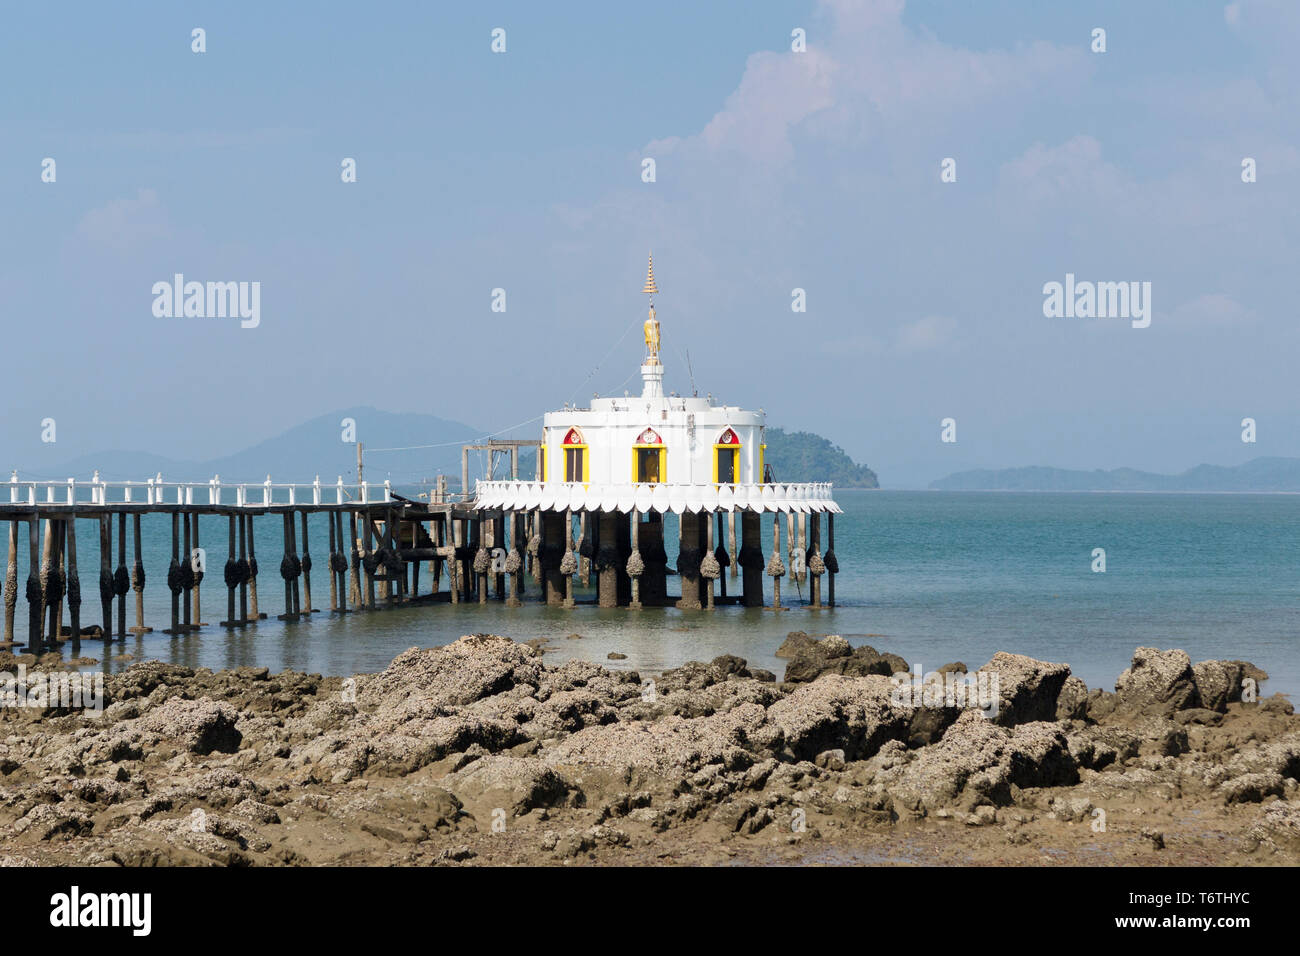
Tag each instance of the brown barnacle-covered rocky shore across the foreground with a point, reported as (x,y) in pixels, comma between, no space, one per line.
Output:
(479,752)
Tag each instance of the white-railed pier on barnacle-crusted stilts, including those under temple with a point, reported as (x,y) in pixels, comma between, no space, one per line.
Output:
(376,547)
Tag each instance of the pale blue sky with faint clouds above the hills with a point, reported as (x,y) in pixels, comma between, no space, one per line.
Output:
(774,171)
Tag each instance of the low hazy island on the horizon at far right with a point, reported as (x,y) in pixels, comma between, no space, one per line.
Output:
(1256,475)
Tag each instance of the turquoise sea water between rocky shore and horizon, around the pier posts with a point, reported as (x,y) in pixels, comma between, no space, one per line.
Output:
(933,577)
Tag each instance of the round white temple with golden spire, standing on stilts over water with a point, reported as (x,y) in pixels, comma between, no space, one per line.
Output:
(622,465)
